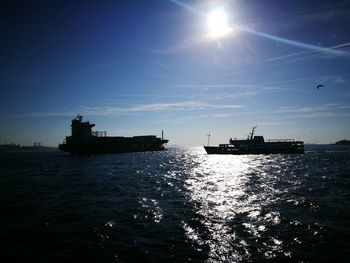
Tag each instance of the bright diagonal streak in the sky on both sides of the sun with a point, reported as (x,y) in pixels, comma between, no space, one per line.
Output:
(272,37)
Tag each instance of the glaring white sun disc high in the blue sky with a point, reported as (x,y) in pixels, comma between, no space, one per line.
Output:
(217,23)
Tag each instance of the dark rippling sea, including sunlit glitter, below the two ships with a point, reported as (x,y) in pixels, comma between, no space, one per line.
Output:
(179,205)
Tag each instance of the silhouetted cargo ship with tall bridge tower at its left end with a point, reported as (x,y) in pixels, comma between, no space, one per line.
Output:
(85,141)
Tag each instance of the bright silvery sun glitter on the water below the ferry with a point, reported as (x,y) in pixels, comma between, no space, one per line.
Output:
(230,193)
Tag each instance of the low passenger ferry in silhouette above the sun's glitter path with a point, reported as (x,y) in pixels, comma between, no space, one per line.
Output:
(257,145)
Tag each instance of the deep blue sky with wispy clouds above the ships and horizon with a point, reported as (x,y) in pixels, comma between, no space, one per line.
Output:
(140,67)
